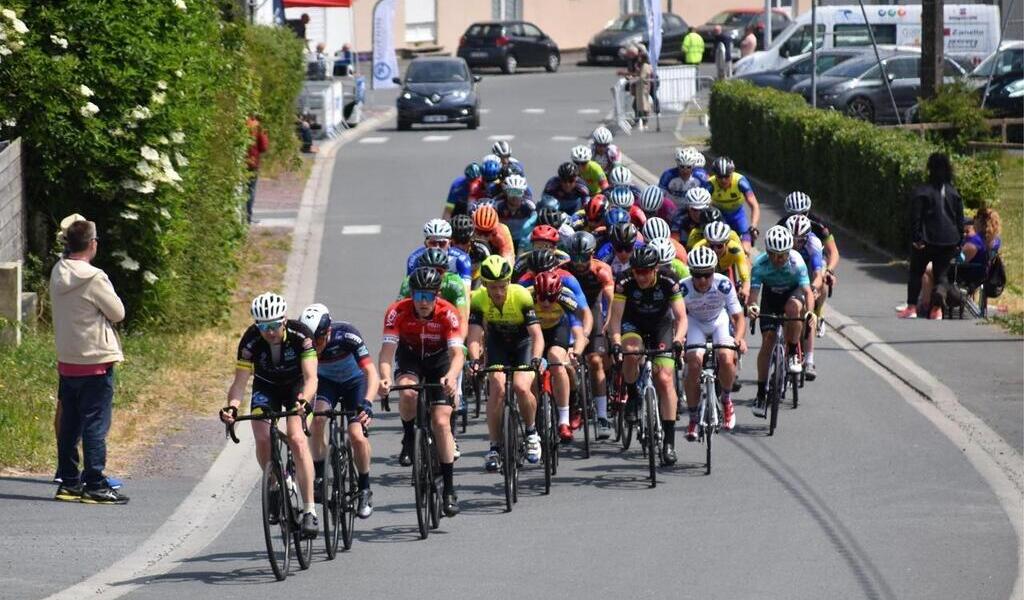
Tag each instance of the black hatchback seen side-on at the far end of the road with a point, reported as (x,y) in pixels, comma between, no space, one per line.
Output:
(508,46)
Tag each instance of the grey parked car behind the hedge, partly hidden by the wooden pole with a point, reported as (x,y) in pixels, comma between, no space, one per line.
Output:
(857,89)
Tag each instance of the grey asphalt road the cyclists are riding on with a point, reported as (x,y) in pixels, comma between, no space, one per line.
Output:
(858,496)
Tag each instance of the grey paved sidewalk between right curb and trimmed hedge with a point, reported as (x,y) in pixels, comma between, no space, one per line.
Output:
(983,365)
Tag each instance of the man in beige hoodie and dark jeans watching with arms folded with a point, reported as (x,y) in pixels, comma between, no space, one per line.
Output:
(84,308)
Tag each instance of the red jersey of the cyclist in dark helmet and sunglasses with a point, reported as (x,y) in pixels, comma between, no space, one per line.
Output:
(425,337)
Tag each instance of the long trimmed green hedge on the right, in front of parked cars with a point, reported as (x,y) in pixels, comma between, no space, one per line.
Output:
(859,174)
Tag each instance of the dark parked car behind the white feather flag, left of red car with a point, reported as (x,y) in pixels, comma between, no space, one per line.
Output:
(608,46)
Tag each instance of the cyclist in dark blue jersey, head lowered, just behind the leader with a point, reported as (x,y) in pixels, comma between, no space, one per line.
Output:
(346,374)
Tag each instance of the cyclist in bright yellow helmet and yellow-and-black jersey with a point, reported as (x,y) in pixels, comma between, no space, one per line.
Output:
(506,312)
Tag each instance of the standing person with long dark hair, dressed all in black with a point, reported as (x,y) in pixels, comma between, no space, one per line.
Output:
(936,218)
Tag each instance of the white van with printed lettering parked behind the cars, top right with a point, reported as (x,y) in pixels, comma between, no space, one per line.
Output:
(972,33)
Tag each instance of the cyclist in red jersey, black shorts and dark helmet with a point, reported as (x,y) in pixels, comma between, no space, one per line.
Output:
(422,333)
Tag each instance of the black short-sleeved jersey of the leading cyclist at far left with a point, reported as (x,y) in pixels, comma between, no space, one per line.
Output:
(258,356)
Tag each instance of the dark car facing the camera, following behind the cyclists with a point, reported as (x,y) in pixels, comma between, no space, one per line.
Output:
(439,90)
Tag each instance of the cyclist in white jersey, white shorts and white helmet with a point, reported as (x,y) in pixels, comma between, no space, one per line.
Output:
(713,311)
